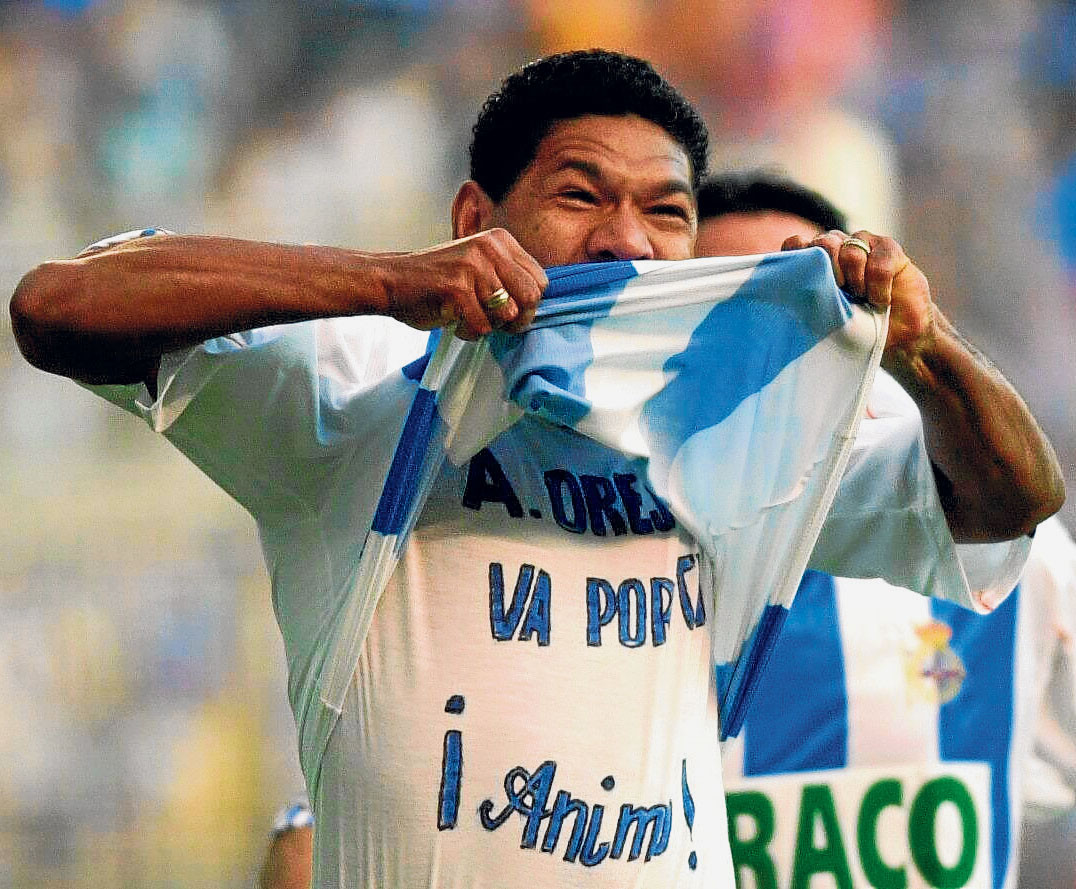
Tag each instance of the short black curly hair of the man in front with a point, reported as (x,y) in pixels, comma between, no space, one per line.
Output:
(517,118)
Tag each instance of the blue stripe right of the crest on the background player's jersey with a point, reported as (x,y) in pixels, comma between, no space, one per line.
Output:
(978,724)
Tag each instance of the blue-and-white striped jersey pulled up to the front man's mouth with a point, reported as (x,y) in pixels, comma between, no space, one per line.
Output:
(742,383)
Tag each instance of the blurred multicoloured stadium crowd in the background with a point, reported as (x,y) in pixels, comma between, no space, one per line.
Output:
(145,738)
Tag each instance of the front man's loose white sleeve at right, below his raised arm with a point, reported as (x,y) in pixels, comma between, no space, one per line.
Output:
(887,520)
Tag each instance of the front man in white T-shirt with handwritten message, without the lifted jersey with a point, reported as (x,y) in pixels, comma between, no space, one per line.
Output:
(585,157)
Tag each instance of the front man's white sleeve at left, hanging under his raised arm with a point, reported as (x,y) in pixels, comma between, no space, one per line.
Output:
(270,414)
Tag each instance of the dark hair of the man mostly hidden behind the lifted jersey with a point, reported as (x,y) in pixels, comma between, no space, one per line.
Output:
(755,191)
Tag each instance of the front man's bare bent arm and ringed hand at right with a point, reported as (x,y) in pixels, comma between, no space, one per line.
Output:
(998,475)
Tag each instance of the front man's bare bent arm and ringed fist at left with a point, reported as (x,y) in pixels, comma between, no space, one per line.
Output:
(108,317)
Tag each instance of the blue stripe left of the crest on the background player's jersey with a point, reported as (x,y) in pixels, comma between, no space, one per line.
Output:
(799,716)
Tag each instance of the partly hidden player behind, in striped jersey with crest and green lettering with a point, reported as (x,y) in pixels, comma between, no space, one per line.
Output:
(902,701)
